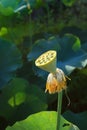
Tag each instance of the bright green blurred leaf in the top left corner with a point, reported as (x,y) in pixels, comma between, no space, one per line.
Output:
(7,6)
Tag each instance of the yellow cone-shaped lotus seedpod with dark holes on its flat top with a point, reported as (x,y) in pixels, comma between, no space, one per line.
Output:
(47,61)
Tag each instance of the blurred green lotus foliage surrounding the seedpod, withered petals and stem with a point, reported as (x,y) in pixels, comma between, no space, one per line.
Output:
(27,29)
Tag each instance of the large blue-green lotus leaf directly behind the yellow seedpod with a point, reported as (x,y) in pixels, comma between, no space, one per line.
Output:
(70,54)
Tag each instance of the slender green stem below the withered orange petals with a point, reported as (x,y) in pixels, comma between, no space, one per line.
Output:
(59,107)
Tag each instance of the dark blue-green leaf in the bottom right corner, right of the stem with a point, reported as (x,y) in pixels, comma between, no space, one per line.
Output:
(80,119)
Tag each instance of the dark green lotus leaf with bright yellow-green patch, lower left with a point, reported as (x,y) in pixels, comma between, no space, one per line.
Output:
(19,99)
